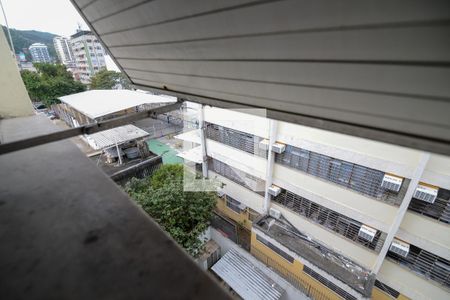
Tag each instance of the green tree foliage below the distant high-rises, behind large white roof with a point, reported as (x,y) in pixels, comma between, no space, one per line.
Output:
(50,82)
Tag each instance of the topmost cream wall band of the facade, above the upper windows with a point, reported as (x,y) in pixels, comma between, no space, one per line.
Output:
(381,156)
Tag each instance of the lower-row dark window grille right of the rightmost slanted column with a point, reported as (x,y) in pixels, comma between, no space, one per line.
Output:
(425,263)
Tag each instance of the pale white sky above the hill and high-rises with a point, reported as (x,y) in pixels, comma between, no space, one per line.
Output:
(54,16)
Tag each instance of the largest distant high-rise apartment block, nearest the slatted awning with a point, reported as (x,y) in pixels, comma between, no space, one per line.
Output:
(88,53)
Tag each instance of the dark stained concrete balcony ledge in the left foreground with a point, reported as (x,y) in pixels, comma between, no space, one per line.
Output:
(68,232)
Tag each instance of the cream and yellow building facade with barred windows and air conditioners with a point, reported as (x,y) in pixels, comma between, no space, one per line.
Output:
(340,216)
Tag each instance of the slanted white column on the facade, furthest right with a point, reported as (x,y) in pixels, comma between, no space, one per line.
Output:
(401,212)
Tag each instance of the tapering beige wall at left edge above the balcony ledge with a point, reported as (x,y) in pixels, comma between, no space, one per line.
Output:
(14,99)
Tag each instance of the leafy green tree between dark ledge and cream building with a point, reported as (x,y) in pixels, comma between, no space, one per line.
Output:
(183,215)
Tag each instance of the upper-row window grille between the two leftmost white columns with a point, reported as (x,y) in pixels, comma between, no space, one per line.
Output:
(234,138)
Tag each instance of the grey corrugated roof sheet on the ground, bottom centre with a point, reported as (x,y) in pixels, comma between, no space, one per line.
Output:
(245,278)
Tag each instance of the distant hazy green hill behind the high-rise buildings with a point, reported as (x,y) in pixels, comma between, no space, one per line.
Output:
(24,38)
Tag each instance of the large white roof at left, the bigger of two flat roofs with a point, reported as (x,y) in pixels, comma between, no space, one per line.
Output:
(97,103)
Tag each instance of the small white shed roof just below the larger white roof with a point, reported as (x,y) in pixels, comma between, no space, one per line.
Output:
(110,137)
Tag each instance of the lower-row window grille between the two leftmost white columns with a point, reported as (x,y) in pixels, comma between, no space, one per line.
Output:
(246,180)
